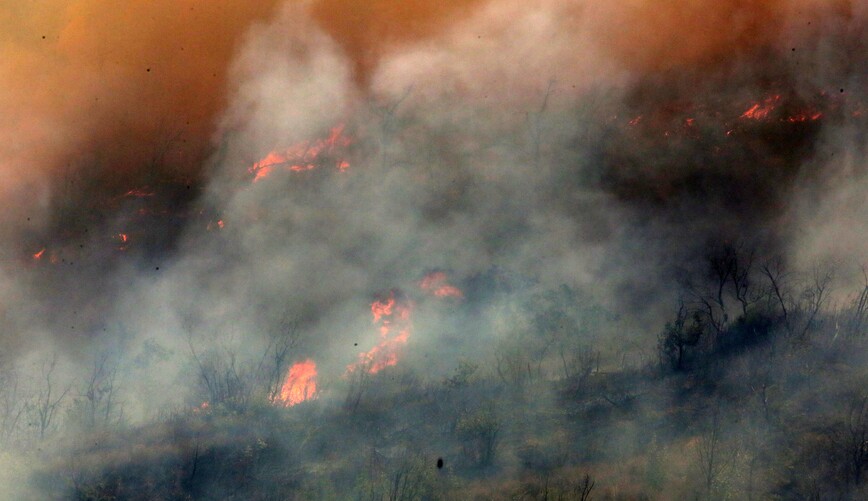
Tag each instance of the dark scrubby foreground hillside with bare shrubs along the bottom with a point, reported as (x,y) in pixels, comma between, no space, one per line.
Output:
(756,389)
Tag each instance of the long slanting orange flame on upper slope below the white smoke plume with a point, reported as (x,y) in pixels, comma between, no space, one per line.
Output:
(303,156)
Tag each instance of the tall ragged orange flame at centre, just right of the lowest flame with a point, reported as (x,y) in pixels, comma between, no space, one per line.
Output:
(393,320)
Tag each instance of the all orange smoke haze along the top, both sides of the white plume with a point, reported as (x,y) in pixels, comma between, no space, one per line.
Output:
(120,87)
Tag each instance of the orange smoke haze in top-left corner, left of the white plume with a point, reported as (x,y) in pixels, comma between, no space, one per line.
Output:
(119,86)
